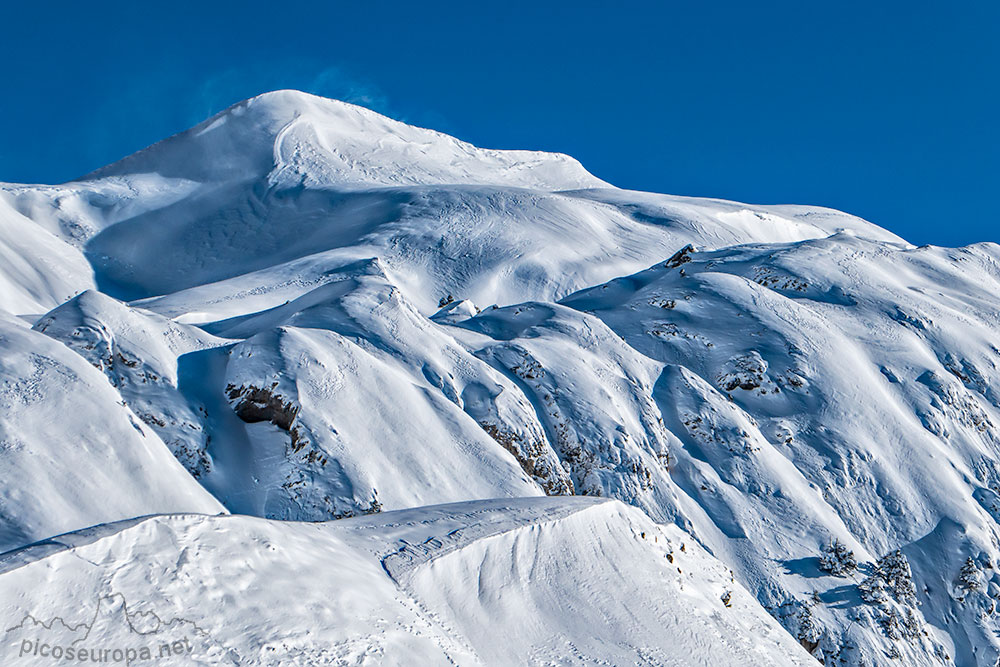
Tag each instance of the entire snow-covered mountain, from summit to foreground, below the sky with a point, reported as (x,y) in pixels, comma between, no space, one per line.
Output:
(300,310)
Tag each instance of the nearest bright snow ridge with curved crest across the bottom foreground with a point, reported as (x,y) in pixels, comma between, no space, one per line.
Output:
(451,584)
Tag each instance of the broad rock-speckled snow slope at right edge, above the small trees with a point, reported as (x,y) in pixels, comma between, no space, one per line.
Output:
(864,373)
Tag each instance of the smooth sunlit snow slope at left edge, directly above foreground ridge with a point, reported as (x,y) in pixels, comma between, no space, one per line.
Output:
(71,454)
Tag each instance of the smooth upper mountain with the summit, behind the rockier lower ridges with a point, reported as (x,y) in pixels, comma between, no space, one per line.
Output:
(226,202)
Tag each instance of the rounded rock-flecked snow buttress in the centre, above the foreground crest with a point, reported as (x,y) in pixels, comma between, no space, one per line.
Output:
(593,393)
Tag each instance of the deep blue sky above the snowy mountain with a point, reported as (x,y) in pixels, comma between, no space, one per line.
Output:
(888,110)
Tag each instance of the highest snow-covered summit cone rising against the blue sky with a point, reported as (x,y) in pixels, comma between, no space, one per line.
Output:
(293,138)
